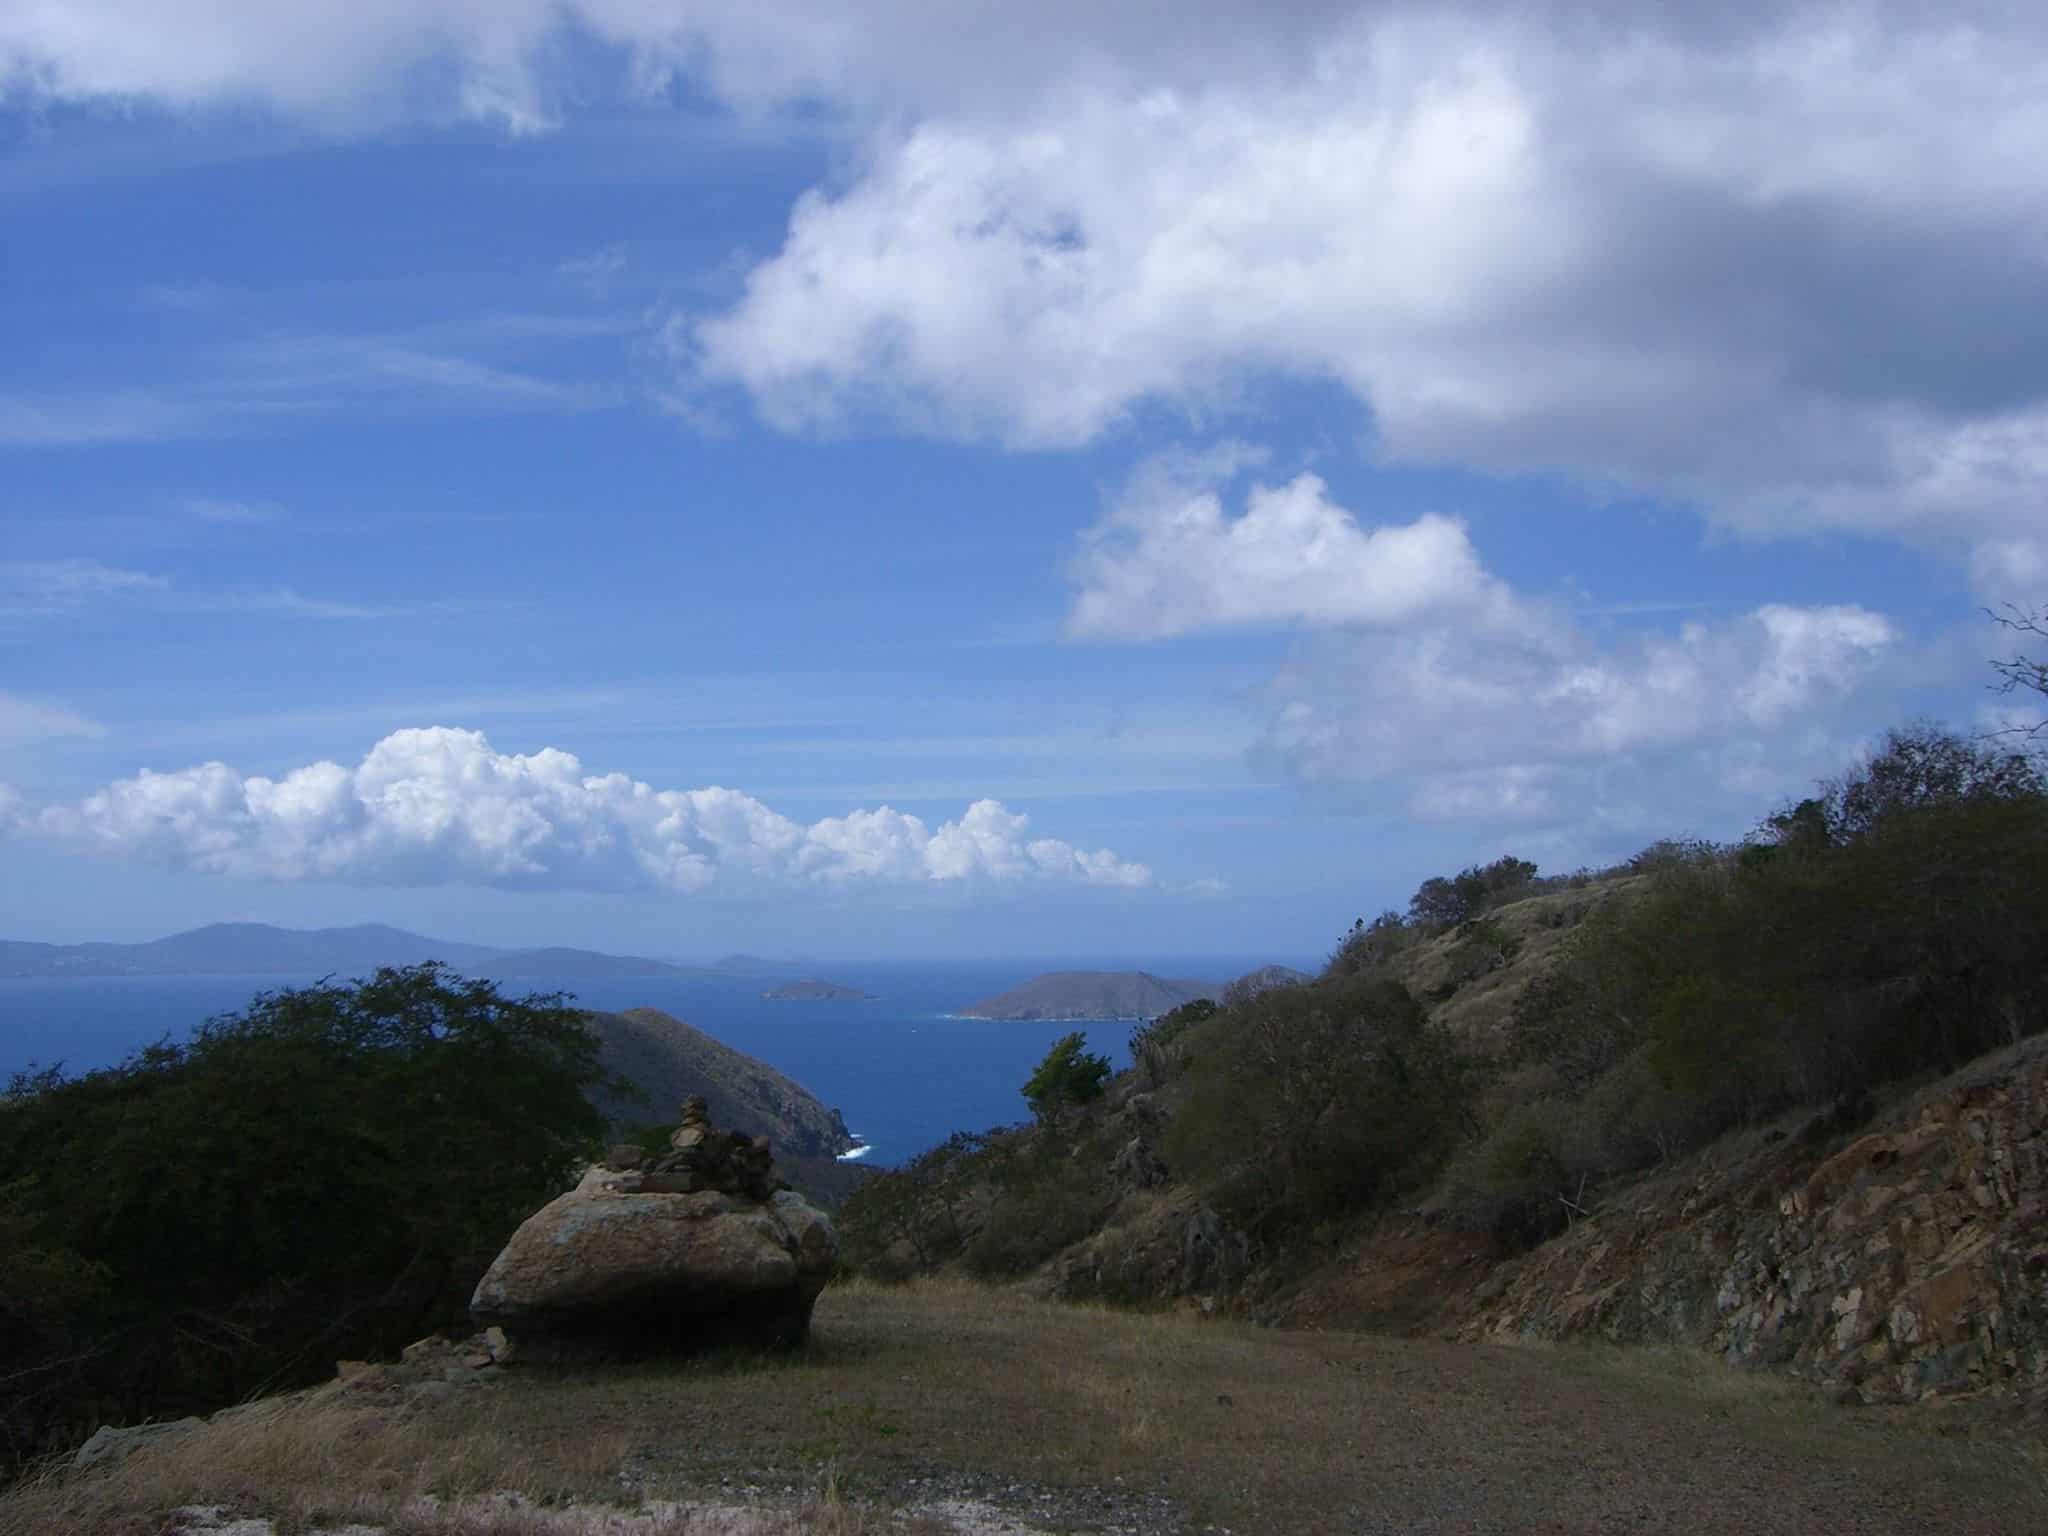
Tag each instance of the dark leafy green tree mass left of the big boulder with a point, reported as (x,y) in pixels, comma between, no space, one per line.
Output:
(321,1175)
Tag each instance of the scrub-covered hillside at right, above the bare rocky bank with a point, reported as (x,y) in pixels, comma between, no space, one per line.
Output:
(1510,1046)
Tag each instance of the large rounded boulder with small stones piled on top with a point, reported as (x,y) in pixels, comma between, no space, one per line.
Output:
(701,1246)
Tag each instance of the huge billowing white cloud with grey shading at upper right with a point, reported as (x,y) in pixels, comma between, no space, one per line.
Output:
(1791,267)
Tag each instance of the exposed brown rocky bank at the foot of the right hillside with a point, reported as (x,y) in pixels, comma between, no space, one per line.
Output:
(1908,1265)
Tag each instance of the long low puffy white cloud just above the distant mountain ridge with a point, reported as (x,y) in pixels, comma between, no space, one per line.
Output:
(443,808)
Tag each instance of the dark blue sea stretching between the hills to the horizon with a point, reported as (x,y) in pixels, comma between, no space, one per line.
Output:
(902,1072)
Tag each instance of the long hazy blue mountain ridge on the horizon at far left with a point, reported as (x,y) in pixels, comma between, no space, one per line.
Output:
(261,949)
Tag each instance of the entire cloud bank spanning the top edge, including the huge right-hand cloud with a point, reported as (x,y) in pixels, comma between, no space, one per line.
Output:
(1787,261)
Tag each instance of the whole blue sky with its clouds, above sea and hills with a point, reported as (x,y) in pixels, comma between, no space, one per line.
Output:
(1070,480)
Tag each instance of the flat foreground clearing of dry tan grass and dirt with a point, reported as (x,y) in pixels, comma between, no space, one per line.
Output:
(945,1396)
